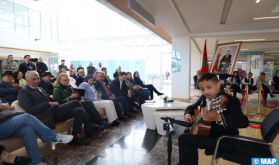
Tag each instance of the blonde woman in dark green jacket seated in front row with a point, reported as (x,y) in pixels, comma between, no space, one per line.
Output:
(64,93)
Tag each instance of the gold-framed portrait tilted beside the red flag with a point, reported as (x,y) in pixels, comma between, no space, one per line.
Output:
(225,58)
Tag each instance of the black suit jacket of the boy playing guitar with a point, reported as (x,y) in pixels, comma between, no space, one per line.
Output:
(233,118)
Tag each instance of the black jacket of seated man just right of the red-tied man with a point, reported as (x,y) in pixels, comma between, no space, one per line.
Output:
(115,88)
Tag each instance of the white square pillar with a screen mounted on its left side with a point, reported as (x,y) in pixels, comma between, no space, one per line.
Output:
(181,80)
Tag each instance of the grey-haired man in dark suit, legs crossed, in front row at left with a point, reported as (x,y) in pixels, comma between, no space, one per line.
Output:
(35,101)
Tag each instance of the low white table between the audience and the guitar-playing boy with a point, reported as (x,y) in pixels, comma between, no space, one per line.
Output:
(149,109)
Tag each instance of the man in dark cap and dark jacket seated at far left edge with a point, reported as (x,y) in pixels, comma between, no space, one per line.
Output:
(8,89)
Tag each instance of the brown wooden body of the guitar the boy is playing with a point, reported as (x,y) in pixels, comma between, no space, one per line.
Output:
(201,128)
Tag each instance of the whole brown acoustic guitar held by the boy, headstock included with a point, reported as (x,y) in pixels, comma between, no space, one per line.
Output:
(202,128)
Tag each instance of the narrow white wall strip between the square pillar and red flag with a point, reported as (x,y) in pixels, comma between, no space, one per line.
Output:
(195,60)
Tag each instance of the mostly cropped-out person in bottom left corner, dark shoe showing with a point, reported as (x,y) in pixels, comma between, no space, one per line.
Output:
(8,158)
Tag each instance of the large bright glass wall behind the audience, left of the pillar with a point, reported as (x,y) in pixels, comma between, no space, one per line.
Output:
(91,32)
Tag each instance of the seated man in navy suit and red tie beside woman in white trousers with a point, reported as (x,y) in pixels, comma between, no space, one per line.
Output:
(108,95)
